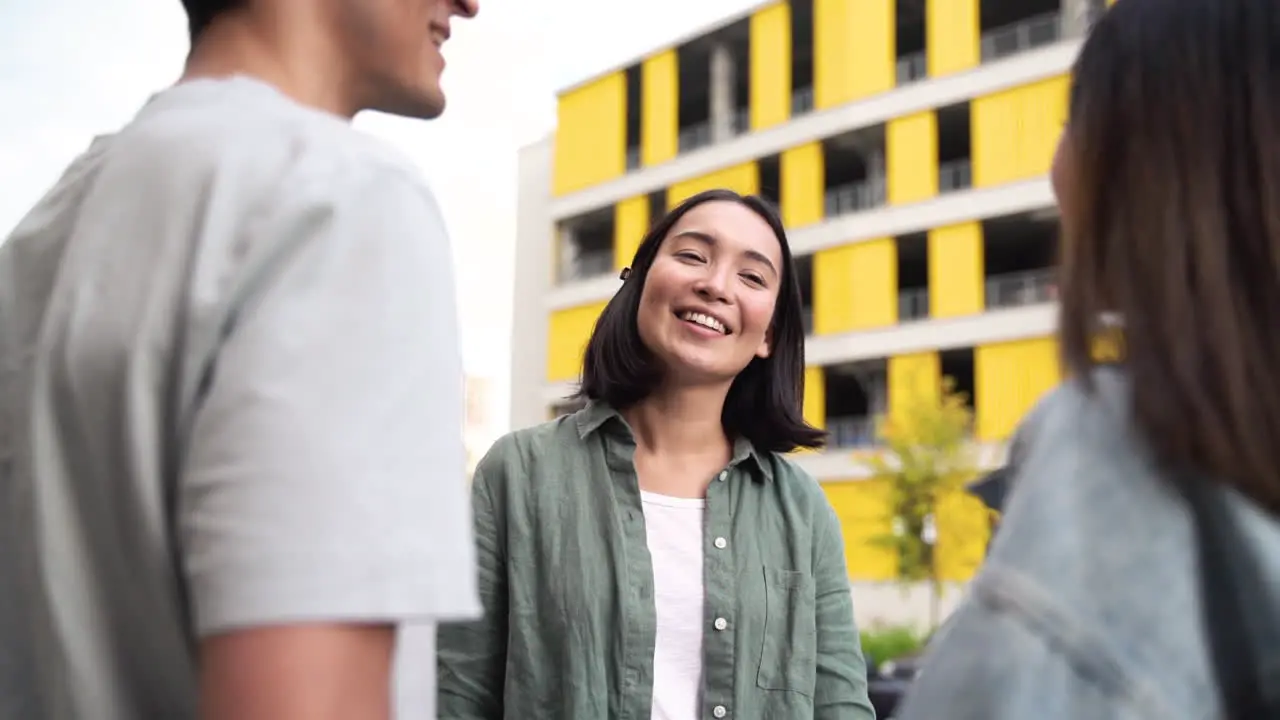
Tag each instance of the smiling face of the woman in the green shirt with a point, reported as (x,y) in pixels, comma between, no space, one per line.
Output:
(710,295)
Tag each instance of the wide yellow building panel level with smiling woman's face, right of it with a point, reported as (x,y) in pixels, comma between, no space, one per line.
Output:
(856,288)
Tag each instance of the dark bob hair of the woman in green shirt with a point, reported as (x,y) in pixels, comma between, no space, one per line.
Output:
(765,402)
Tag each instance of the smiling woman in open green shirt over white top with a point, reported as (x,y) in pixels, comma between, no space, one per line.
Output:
(653,555)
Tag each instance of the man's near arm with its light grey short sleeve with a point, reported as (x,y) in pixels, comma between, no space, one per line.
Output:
(323,495)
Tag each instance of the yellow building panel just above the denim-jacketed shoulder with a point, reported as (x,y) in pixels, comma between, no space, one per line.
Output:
(1009,379)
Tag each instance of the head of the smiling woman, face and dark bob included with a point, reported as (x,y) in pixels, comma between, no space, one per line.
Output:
(724,257)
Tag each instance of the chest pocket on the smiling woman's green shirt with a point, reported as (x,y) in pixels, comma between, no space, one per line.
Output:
(789,657)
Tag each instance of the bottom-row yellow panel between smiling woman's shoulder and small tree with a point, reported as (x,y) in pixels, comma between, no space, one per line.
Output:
(865,512)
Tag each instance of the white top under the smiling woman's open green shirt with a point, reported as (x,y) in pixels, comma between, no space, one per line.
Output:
(674,527)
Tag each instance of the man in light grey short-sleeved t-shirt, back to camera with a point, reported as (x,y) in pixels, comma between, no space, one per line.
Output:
(231,391)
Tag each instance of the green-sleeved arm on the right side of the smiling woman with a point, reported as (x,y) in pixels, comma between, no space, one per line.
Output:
(842,681)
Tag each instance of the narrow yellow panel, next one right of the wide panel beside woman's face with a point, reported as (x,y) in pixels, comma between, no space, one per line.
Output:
(957,271)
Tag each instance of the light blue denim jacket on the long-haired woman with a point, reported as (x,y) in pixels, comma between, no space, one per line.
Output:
(1089,605)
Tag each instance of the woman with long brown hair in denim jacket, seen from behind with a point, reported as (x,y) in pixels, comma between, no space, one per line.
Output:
(1139,563)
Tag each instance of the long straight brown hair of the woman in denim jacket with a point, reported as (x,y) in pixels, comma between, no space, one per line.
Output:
(1173,225)
